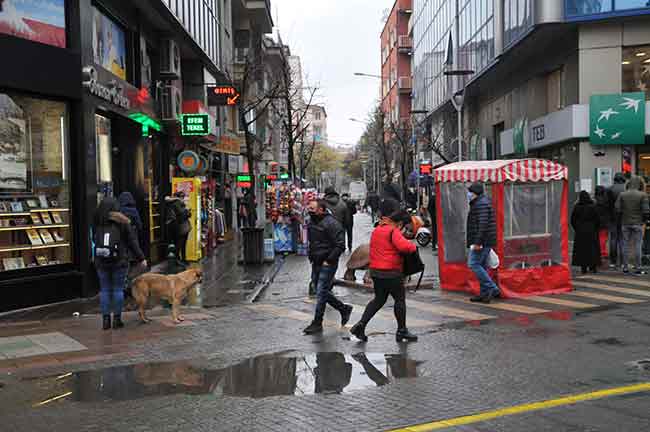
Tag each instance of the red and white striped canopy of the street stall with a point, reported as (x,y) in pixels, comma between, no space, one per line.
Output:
(520,170)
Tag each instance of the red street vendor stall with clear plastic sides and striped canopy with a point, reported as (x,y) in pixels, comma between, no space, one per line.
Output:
(530,202)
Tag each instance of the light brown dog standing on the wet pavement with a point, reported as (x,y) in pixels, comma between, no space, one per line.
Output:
(172,288)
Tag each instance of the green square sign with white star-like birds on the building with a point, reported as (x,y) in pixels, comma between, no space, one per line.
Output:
(617,119)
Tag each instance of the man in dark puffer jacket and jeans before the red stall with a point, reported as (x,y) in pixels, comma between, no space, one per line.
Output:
(481,238)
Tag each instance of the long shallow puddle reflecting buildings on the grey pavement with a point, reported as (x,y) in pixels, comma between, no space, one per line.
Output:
(259,377)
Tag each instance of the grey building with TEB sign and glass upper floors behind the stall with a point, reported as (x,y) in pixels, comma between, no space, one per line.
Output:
(540,71)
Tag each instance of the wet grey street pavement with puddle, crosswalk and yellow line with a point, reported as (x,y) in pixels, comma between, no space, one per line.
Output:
(247,366)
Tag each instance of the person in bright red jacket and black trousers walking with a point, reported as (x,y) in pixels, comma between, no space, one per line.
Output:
(387,247)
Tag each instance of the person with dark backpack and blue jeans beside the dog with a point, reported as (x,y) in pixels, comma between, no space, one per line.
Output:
(113,238)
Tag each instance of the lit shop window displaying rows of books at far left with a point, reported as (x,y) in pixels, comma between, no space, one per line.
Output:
(34,183)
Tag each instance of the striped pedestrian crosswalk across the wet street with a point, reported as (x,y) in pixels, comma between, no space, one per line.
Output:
(427,309)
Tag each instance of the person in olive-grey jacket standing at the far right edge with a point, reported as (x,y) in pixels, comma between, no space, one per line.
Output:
(633,207)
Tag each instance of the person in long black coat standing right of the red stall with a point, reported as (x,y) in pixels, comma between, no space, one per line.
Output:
(585,221)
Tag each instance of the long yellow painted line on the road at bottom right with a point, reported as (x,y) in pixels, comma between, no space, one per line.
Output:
(519,409)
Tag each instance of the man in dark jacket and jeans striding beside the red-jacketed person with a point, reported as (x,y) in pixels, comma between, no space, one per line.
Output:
(326,244)
